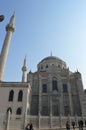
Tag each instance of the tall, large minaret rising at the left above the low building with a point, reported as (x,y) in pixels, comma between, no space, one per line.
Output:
(4,52)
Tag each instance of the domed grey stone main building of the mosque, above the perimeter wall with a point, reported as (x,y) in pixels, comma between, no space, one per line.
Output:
(56,90)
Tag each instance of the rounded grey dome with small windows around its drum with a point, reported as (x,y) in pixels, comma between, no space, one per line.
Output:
(51,61)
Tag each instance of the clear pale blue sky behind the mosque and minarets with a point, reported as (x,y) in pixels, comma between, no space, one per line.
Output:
(42,27)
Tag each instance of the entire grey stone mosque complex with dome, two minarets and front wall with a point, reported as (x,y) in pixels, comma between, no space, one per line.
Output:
(50,96)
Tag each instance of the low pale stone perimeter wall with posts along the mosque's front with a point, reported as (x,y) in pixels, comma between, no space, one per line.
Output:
(15,122)
